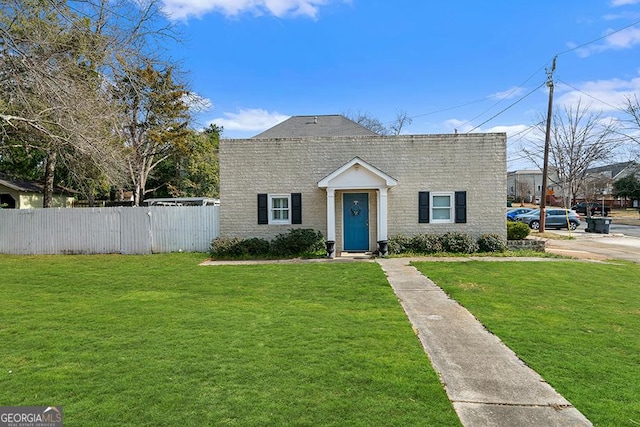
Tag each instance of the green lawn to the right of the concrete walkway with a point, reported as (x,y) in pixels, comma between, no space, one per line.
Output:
(576,324)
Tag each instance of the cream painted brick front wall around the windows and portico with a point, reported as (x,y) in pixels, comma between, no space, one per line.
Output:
(475,163)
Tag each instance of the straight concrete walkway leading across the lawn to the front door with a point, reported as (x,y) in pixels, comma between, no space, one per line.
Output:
(486,382)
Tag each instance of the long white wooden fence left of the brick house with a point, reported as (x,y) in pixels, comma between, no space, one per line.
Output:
(124,230)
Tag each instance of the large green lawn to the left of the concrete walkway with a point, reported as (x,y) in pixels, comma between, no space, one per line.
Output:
(160,341)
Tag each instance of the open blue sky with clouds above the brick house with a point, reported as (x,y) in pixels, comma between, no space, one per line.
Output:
(449,65)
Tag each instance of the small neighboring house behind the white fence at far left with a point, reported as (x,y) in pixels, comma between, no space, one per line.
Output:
(28,195)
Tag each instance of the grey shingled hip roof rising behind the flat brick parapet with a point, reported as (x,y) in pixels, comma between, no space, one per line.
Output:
(310,126)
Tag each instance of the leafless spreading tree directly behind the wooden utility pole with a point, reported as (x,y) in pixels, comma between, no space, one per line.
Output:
(579,140)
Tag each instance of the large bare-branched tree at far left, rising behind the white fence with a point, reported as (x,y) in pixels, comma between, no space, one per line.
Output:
(59,60)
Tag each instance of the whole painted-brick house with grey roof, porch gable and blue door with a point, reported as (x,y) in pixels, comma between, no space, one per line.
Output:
(359,188)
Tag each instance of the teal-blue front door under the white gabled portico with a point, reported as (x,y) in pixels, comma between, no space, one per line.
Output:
(356,221)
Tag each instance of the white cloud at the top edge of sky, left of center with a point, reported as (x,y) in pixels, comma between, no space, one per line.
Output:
(184,9)
